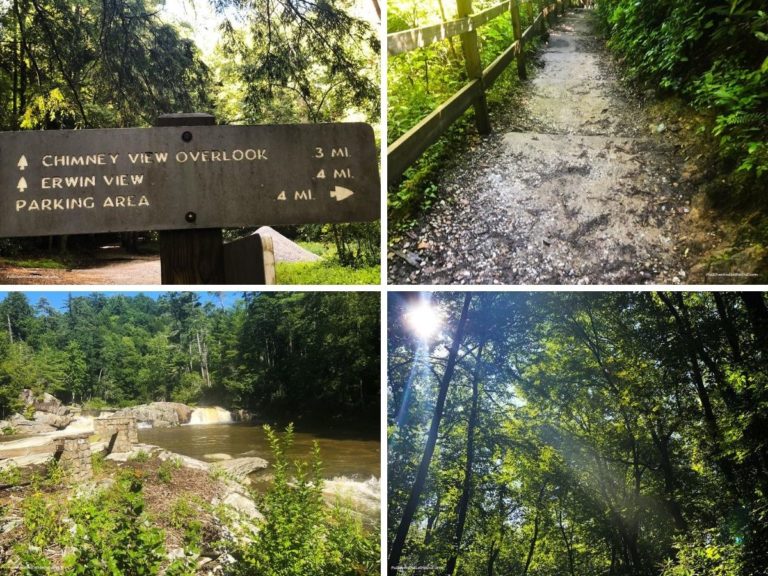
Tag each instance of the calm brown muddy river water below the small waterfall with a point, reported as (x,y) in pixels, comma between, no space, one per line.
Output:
(342,455)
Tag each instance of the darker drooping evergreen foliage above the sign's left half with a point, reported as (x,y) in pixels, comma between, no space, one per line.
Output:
(94,64)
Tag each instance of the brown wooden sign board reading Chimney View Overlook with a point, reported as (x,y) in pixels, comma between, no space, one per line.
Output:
(186,177)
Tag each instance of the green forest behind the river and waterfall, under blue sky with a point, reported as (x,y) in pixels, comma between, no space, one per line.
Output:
(304,357)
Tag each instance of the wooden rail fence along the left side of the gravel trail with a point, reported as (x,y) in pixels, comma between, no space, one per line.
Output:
(411,145)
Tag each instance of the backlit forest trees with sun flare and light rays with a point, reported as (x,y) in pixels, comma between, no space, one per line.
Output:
(578,434)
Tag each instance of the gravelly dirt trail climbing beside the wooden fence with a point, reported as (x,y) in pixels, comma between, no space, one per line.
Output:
(577,188)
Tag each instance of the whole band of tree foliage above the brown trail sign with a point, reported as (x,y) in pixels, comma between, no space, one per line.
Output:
(121,63)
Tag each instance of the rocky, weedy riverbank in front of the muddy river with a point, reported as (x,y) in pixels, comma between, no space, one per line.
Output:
(201,518)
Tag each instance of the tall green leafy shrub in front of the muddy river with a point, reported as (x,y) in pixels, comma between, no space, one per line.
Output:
(321,543)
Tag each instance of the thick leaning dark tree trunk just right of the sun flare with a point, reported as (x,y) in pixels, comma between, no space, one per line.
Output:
(401,534)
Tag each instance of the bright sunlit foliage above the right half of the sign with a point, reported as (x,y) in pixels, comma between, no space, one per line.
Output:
(301,62)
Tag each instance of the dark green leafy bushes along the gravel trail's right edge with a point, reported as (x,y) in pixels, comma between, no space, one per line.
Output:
(712,53)
